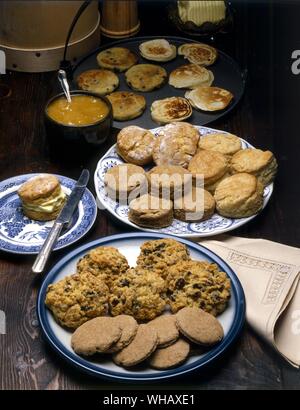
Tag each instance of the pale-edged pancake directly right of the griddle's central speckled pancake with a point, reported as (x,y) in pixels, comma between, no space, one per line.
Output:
(191,76)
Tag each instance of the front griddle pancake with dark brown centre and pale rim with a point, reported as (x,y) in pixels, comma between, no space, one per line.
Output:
(171,109)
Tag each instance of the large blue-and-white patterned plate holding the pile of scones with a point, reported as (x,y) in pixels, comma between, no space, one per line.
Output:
(216,225)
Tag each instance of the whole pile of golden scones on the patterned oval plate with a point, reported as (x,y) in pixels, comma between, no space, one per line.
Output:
(233,178)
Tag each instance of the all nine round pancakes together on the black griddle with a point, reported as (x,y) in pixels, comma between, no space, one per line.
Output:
(194,77)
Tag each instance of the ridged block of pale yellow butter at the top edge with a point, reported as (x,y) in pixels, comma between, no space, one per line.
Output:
(200,12)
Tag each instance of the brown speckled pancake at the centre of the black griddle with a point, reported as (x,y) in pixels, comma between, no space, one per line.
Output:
(146,77)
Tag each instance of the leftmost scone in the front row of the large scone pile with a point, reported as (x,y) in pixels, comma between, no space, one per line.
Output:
(151,212)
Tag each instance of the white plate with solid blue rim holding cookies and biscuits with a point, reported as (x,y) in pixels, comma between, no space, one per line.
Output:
(232,319)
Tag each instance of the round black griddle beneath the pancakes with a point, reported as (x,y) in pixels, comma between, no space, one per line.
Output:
(227,74)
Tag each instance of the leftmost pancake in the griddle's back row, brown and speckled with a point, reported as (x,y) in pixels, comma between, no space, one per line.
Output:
(117,58)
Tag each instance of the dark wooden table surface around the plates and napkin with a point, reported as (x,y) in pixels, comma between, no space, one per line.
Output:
(267,117)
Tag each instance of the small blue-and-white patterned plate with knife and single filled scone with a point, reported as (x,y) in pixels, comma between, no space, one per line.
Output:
(19,234)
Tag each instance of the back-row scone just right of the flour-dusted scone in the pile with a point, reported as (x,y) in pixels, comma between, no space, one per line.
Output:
(226,144)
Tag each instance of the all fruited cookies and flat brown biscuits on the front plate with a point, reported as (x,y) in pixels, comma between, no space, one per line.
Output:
(165,278)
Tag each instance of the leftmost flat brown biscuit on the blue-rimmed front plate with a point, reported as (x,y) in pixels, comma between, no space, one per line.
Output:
(96,336)
